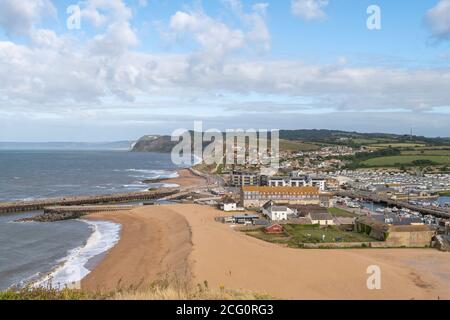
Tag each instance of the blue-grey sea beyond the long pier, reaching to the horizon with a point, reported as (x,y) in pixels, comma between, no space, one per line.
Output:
(27,175)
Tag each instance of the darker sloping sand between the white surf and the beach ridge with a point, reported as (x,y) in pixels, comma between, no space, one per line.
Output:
(153,246)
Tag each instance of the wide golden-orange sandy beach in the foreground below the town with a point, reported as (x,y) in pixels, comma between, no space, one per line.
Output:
(185,240)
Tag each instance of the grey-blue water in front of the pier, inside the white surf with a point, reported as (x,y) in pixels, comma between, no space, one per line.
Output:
(31,250)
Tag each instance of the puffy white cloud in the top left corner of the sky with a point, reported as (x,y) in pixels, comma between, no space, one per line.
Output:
(18,17)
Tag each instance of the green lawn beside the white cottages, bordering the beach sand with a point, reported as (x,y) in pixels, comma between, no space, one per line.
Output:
(295,235)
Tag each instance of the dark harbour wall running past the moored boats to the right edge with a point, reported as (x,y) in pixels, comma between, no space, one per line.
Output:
(438,212)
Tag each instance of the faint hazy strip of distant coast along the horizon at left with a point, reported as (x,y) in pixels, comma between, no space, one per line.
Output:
(117,145)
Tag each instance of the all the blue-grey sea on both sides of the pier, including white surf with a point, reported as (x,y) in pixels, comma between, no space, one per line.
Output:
(61,253)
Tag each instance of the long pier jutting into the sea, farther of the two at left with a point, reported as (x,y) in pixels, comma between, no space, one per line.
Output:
(24,206)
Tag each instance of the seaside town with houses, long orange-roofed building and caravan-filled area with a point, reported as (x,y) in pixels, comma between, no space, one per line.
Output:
(315,205)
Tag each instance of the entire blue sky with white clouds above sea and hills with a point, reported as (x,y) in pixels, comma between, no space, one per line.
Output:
(106,70)
